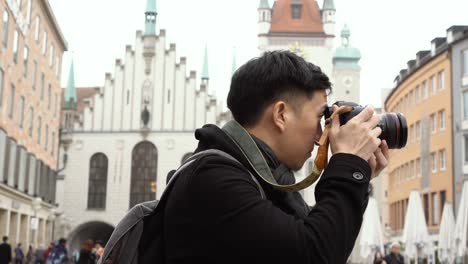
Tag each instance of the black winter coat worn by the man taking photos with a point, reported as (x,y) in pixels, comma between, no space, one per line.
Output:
(215,213)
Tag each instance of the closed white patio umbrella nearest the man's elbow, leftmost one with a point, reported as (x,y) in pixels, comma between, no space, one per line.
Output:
(371,238)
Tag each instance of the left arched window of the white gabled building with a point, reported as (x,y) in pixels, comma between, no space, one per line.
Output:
(97,188)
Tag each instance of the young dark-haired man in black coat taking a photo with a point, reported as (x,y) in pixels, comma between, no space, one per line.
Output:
(215,213)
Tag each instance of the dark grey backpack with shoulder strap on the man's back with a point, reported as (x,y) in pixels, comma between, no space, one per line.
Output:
(138,238)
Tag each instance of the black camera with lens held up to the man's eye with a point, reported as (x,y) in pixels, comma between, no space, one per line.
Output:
(394,126)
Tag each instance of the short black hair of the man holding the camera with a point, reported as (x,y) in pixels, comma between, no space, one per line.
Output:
(275,75)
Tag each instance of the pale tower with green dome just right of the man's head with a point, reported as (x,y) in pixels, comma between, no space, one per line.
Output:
(346,70)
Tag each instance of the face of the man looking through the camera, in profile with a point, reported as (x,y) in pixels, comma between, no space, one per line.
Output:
(301,130)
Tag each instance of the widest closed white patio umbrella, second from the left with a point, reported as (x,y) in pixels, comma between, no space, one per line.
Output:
(415,234)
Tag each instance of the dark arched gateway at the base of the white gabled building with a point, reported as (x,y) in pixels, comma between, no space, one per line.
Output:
(96,231)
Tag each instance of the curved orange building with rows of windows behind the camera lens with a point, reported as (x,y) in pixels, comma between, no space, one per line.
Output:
(424,93)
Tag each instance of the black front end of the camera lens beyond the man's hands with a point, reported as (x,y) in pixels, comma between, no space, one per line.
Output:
(394,130)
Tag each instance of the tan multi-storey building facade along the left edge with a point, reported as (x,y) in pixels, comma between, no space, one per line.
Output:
(31,51)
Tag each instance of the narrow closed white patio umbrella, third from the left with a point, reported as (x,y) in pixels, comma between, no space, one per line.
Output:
(446,235)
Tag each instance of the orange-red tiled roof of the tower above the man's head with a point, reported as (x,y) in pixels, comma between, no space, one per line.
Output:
(310,21)
